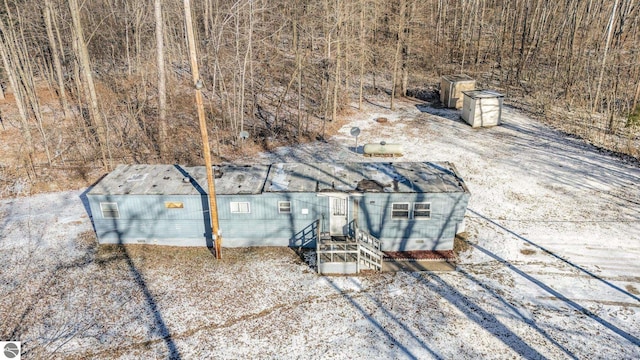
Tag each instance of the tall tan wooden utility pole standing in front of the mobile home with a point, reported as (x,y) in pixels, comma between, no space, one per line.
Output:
(197,83)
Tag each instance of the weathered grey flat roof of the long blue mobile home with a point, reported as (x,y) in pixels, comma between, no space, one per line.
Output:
(402,177)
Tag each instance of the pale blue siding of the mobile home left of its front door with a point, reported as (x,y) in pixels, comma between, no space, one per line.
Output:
(146,217)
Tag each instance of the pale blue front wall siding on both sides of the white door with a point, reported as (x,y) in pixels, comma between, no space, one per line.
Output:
(146,217)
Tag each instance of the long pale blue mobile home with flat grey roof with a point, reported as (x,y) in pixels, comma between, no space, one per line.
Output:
(404,205)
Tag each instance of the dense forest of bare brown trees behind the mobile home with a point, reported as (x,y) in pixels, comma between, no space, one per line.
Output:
(89,84)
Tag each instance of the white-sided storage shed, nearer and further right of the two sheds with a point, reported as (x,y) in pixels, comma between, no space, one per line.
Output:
(482,108)
